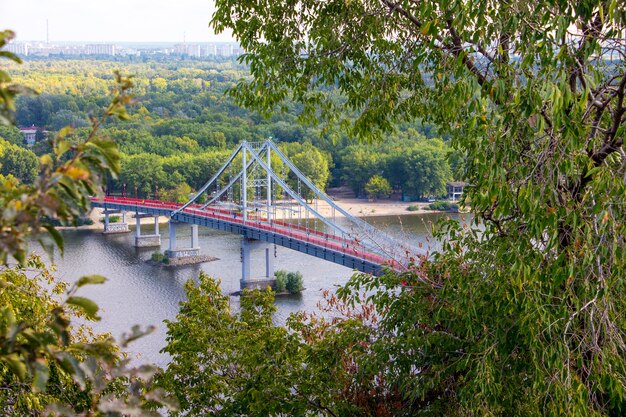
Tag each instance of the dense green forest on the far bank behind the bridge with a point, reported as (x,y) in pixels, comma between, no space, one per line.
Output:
(182,127)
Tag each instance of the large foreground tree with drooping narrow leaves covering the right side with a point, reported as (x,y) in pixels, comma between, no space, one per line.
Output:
(520,312)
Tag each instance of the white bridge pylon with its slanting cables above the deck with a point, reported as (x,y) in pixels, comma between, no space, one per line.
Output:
(259,184)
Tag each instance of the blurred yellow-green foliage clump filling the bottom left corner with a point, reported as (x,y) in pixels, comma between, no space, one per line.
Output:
(49,367)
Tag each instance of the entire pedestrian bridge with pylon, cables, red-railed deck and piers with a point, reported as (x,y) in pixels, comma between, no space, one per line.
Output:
(267,207)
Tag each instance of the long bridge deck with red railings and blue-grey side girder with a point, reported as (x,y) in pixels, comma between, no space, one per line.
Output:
(330,247)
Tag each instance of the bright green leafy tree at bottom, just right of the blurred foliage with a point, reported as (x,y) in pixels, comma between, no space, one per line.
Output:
(224,364)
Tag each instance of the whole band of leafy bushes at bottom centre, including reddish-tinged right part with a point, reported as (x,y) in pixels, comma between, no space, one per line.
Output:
(226,363)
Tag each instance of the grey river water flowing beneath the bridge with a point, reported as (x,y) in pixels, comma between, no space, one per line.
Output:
(139,293)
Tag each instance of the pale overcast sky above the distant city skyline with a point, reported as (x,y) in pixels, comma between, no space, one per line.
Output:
(110,20)
